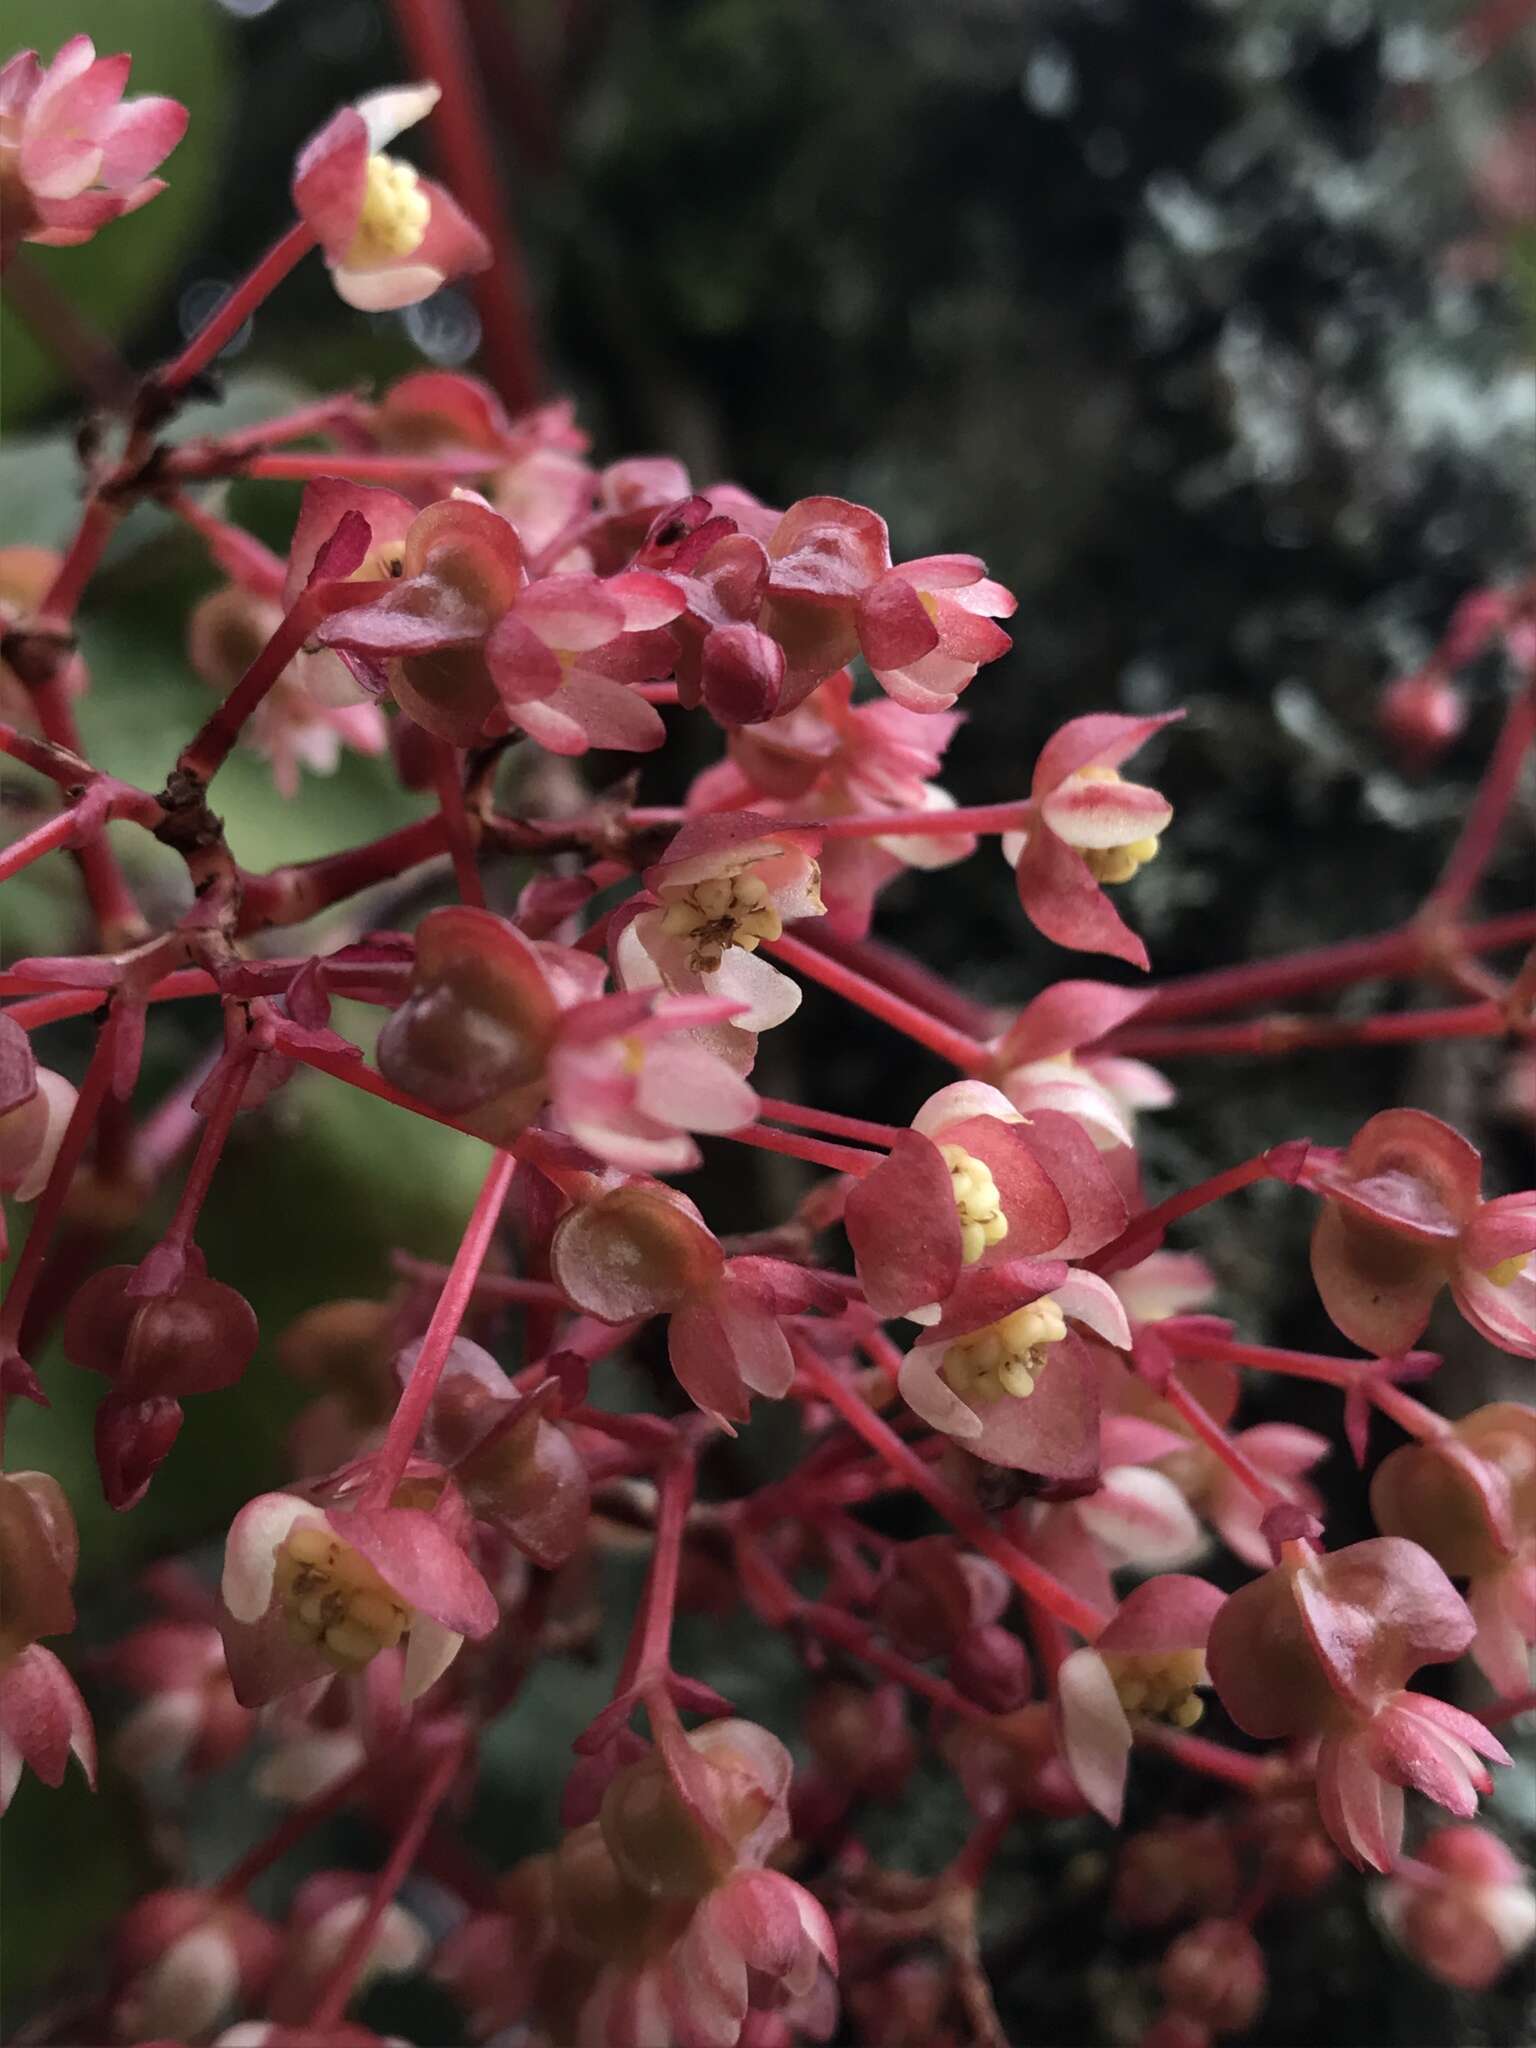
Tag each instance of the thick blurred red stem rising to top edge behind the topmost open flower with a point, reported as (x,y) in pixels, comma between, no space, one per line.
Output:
(435,40)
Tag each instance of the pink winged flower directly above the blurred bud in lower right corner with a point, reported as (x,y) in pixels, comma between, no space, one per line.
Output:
(1324,1648)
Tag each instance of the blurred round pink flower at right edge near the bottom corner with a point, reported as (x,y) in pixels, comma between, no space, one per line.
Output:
(1463,1908)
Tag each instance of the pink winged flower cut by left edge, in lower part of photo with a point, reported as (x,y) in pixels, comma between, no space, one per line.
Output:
(44,1721)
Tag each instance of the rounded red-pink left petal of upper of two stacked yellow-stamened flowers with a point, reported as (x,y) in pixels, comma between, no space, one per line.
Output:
(904,1228)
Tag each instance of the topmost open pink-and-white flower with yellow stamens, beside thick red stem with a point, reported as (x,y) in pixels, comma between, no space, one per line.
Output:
(390,237)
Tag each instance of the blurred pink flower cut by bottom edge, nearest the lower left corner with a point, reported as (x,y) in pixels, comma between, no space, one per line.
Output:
(183,1961)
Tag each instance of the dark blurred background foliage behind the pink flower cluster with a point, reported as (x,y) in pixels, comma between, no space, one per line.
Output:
(1183,314)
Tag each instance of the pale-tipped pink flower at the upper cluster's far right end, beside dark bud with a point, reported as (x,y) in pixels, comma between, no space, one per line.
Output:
(927,628)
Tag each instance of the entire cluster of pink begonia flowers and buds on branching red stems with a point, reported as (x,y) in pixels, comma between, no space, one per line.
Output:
(970,1306)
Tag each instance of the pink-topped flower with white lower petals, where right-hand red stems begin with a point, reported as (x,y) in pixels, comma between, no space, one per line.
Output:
(1041,1062)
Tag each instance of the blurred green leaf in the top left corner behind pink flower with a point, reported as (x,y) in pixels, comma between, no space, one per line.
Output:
(179,48)
